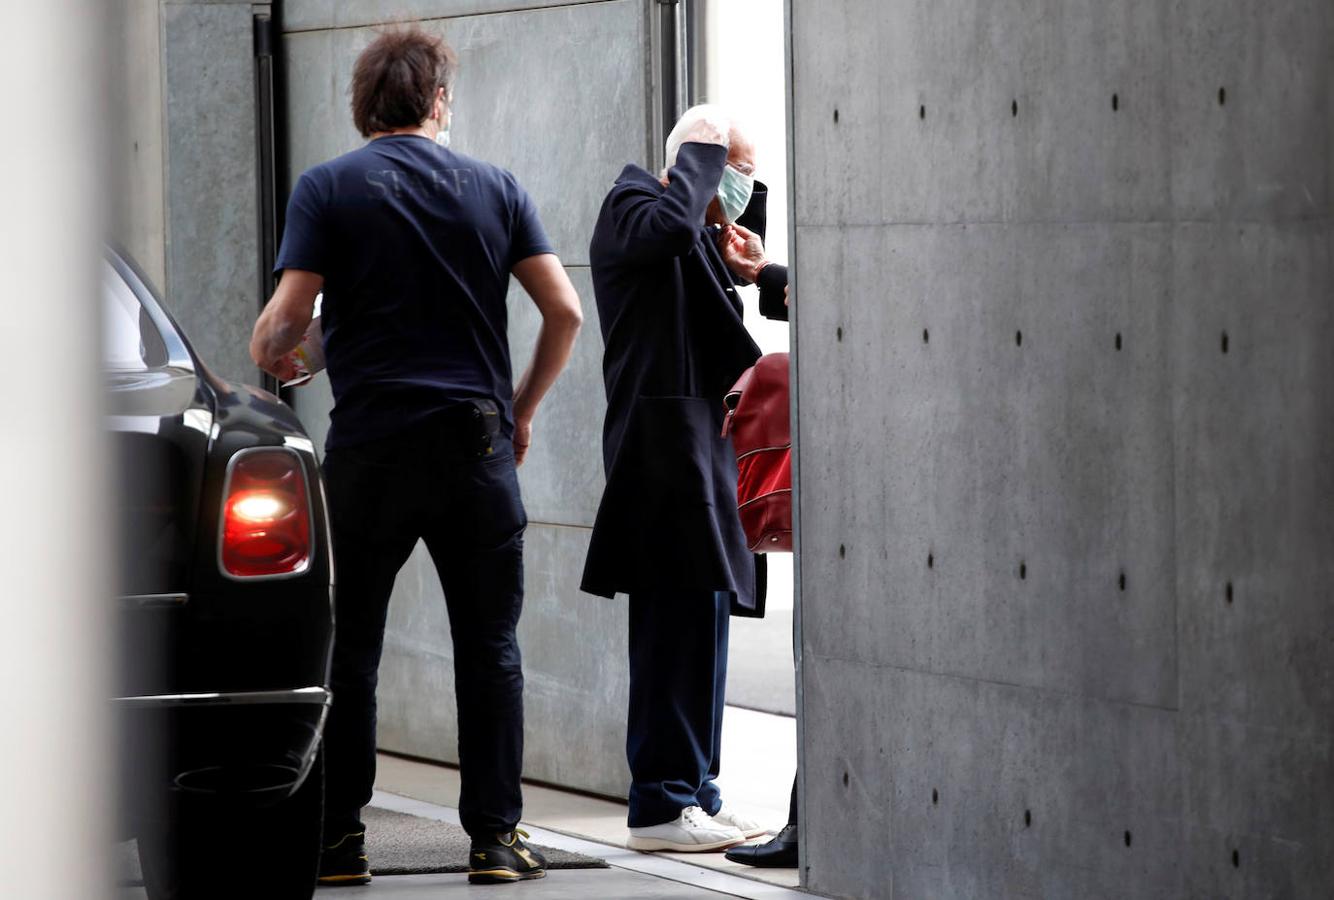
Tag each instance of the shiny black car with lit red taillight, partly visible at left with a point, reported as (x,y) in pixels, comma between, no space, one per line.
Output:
(226,614)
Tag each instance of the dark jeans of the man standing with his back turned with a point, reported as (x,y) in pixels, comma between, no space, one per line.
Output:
(429,485)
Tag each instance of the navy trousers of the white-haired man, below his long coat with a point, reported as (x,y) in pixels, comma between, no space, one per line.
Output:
(678,679)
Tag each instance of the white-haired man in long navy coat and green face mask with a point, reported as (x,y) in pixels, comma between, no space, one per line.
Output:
(666,258)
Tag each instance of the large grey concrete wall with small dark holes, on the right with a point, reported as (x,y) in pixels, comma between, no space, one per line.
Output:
(1065,278)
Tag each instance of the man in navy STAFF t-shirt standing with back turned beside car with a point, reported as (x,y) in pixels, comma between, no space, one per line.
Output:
(413,246)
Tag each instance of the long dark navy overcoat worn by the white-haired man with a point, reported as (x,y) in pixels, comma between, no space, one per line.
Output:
(672,323)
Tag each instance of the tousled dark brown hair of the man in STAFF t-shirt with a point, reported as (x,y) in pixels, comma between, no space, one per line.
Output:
(396,79)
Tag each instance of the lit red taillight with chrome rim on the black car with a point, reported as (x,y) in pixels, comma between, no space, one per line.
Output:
(266,515)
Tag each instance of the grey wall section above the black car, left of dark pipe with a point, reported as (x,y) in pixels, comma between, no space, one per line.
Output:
(183,161)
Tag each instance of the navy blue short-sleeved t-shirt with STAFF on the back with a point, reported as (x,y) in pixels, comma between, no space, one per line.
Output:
(416,243)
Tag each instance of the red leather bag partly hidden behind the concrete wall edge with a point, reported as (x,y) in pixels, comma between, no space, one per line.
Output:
(758,425)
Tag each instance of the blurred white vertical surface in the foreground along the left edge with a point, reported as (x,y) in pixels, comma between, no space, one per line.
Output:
(54,799)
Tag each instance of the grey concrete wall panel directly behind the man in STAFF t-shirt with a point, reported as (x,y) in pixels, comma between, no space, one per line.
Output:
(560,97)
